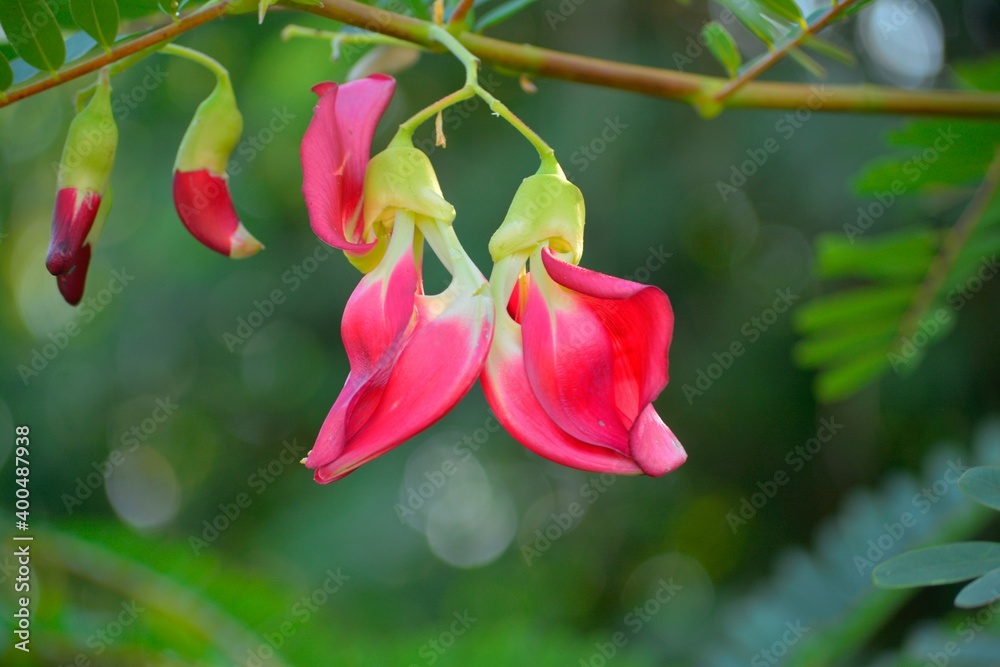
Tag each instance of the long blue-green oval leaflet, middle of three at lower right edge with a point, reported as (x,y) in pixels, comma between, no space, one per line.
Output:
(933,566)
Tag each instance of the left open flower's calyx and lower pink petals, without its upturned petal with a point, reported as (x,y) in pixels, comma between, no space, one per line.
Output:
(412,356)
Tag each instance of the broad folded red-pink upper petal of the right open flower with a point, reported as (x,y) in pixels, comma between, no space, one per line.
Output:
(595,349)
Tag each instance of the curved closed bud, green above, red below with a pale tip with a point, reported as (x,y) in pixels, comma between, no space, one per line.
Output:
(201,183)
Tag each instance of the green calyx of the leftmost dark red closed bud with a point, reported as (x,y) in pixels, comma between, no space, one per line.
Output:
(89,152)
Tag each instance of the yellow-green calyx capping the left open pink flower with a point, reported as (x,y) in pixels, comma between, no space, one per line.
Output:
(401,178)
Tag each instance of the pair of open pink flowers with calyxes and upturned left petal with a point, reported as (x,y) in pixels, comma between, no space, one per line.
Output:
(570,360)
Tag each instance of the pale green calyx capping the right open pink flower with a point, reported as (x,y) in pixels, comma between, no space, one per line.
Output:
(546,209)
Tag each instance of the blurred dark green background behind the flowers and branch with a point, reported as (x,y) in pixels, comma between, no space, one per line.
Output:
(174,525)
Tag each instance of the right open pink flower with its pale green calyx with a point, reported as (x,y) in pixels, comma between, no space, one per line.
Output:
(578,357)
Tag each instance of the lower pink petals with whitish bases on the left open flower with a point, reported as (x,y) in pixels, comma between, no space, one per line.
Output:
(412,358)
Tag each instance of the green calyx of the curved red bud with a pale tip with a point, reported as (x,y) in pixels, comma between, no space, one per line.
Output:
(213,133)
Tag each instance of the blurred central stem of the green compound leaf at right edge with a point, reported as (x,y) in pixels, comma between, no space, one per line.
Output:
(951,248)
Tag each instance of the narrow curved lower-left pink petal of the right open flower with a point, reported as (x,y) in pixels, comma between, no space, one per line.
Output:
(509,394)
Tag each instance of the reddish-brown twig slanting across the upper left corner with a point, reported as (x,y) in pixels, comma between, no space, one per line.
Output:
(118,52)
